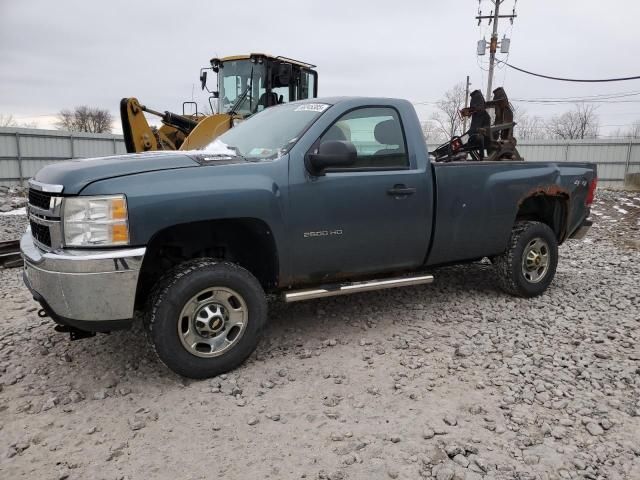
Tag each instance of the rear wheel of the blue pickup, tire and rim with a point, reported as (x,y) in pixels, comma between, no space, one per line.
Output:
(528,266)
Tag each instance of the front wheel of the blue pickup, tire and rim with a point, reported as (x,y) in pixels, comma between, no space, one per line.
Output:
(205,317)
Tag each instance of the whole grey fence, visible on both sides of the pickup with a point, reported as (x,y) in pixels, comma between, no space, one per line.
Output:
(24,151)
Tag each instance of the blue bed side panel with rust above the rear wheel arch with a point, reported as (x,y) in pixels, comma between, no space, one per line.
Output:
(476,203)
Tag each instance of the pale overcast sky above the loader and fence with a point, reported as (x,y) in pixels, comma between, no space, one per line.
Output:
(58,54)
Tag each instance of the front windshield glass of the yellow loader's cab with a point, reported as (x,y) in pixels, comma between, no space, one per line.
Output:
(234,79)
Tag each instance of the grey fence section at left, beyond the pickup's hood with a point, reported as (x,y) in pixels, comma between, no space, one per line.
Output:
(24,151)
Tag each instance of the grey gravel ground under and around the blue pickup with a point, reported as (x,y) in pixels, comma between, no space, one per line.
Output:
(454,380)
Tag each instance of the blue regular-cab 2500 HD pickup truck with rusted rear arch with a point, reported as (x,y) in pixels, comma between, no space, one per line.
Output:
(306,200)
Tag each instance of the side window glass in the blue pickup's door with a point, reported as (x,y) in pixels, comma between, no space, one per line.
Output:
(377,135)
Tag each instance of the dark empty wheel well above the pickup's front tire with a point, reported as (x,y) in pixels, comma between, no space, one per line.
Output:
(246,241)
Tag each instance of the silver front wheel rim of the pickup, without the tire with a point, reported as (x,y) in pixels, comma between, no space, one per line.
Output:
(212,321)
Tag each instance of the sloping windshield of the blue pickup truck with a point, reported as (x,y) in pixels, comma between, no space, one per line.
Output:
(268,134)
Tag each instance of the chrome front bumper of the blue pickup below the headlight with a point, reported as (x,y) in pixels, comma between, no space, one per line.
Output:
(92,290)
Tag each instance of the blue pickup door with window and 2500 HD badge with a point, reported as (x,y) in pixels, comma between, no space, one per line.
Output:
(369,217)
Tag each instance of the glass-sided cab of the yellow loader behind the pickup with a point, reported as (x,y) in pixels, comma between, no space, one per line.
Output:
(248,84)
